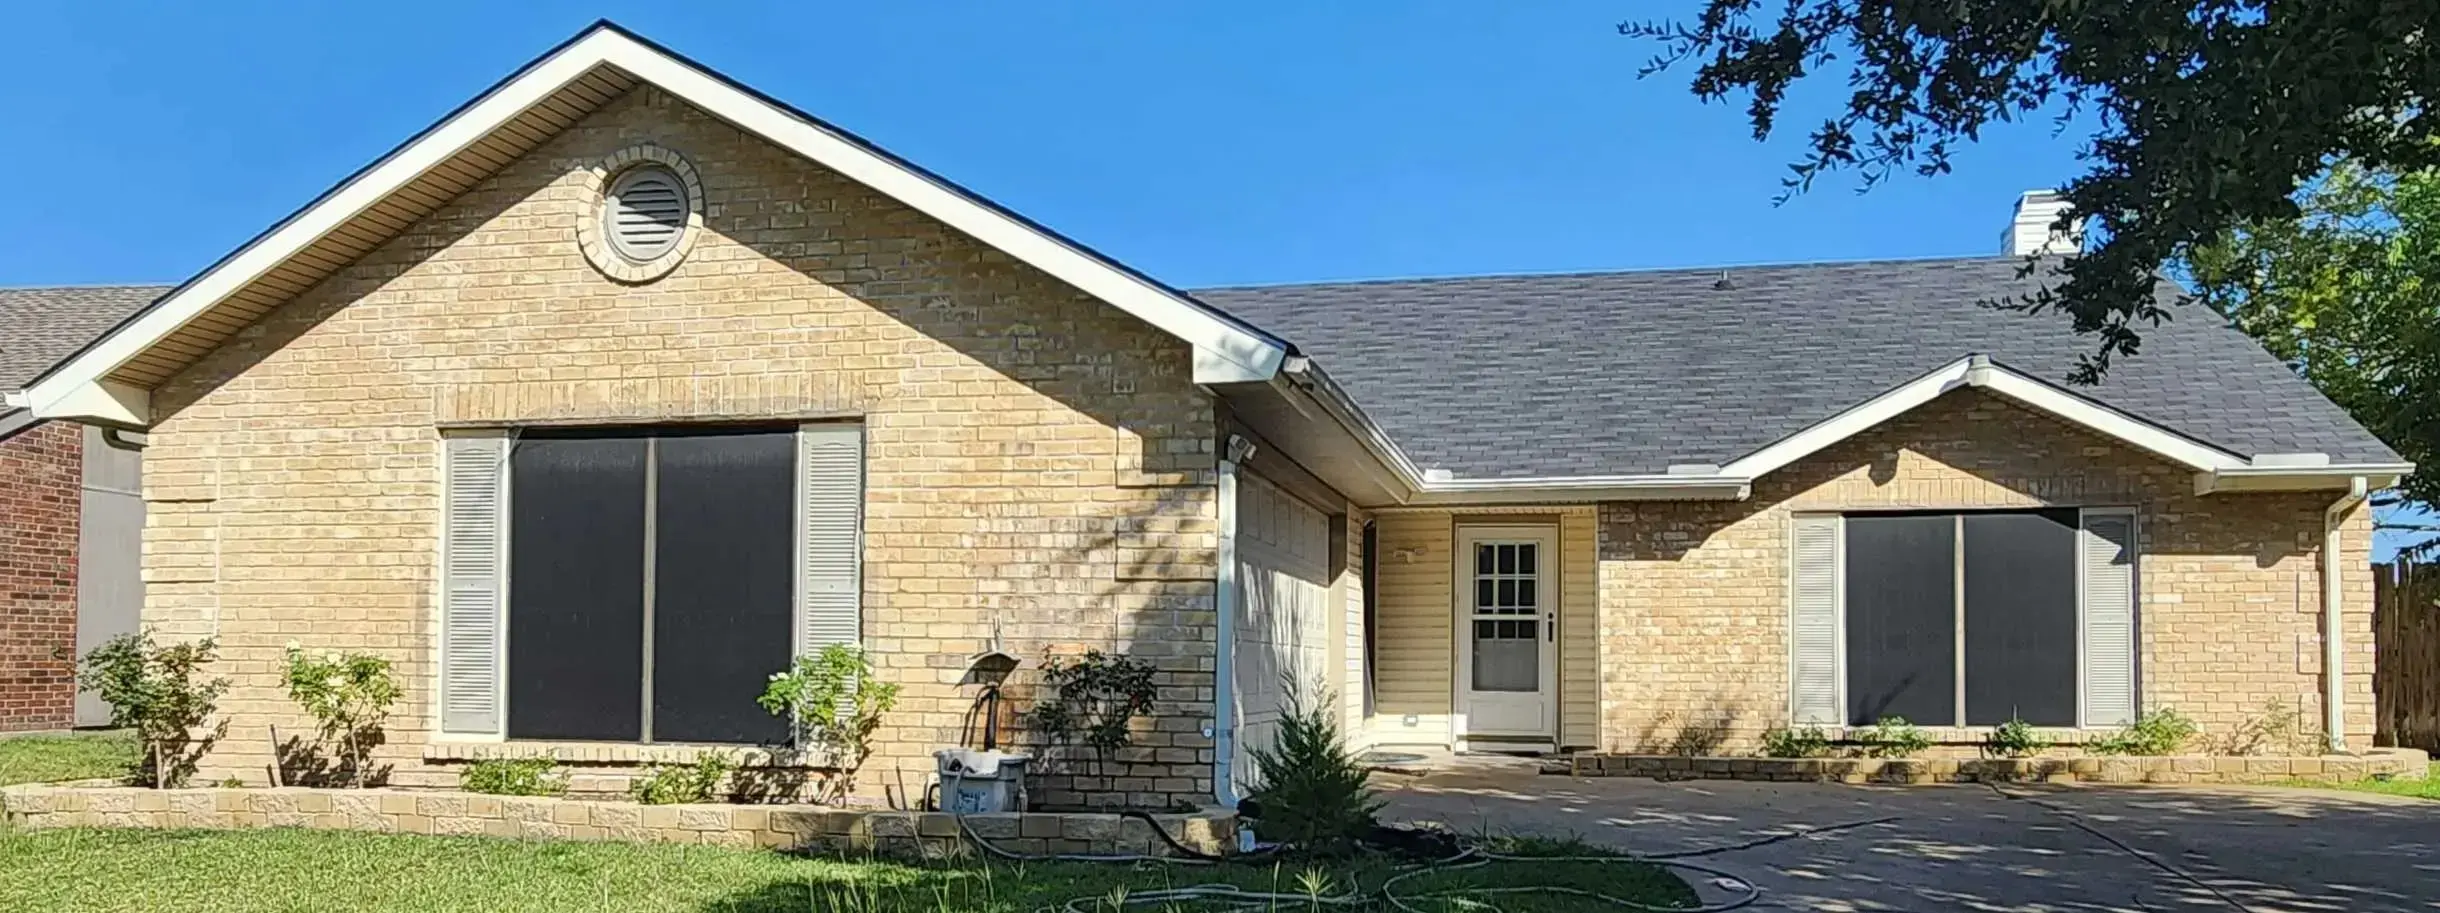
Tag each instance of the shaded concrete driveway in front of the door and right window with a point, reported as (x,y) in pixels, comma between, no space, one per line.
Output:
(1978,848)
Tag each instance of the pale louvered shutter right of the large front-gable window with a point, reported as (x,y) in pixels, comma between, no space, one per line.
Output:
(831,536)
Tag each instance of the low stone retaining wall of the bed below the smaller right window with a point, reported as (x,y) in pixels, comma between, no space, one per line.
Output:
(2029,770)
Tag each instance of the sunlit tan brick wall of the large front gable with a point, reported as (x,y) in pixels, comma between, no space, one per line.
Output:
(1036,458)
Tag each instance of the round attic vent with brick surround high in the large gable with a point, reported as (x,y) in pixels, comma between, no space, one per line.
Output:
(645,211)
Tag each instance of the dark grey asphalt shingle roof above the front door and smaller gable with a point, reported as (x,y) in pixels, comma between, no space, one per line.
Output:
(1602,375)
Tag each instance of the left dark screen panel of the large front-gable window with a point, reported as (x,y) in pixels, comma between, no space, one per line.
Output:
(577,590)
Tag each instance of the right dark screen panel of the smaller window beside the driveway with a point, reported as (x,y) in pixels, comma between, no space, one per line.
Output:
(2022,616)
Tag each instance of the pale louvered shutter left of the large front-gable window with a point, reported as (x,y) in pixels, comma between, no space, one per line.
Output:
(475,582)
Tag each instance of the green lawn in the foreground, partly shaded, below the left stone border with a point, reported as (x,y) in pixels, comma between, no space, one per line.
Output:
(301,870)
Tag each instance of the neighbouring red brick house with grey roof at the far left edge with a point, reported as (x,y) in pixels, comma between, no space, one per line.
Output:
(70,516)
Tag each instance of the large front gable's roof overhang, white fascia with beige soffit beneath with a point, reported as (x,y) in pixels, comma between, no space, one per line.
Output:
(111,377)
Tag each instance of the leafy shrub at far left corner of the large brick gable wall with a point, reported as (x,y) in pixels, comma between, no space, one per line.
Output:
(160,695)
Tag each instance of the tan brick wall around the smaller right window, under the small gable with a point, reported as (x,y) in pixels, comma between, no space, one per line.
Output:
(1695,597)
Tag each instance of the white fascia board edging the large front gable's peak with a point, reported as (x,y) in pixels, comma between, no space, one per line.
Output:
(1224,353)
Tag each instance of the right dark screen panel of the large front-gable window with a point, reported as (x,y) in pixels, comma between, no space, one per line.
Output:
(723,585)
